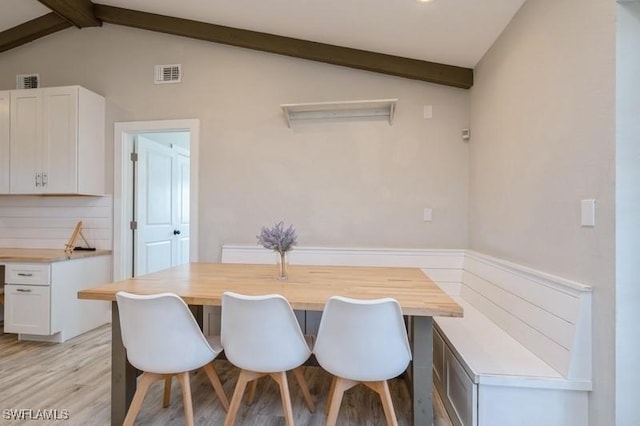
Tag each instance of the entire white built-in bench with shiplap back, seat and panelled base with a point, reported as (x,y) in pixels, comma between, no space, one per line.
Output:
(521,354)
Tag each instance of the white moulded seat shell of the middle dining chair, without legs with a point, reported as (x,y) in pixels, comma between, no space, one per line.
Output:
(261,333)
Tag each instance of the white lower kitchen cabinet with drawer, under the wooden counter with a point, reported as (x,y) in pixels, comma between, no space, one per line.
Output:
(41,300)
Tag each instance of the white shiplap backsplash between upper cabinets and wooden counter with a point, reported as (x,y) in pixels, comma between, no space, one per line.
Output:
(48,221)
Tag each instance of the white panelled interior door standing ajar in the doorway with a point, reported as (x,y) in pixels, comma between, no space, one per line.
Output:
(161,239)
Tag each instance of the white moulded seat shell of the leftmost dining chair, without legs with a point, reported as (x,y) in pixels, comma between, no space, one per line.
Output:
(160,334)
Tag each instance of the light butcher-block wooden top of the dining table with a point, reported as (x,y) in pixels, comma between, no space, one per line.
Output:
(307,288)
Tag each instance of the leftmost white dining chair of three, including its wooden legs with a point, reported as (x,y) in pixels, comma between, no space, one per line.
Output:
(162,339)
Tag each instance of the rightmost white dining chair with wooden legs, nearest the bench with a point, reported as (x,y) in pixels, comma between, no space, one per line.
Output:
(362,341)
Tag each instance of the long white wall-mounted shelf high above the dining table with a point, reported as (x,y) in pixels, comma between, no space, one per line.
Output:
(339,110)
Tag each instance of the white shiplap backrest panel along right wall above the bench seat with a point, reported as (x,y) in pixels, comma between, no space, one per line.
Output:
(549,315)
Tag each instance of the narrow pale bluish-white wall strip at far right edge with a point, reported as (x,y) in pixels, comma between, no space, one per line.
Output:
(627,215)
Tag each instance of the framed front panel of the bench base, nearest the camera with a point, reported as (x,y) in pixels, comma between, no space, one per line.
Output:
(461,392)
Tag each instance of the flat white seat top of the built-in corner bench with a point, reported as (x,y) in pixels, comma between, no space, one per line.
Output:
(491,356)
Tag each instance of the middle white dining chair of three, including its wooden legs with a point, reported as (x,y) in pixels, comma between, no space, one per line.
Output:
(261,336)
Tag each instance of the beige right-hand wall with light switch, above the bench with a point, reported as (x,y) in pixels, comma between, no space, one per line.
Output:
(543,138)
